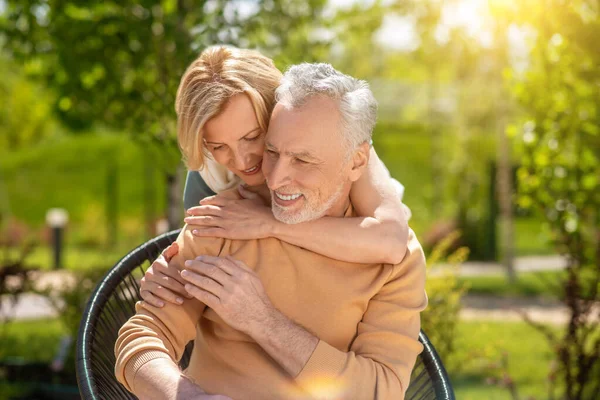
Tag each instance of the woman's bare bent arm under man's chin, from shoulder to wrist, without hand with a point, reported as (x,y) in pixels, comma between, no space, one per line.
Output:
(380,236)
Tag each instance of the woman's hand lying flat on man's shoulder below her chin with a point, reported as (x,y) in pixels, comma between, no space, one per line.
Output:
(228,218)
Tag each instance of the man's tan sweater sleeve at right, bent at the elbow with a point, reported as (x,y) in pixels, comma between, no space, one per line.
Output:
(385,349)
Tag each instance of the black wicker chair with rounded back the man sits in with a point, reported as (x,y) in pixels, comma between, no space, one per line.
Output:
(113,303)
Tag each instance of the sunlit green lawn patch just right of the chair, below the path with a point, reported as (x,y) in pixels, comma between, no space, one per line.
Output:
(480,344)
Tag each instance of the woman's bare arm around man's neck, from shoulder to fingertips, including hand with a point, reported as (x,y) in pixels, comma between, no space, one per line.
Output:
(380,237)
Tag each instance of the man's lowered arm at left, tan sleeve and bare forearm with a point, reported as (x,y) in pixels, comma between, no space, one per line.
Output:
(158,336)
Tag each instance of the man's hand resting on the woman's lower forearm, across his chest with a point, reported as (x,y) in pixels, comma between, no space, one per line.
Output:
(231,289)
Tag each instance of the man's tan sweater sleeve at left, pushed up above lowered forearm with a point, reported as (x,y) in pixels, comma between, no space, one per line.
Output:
(162,332)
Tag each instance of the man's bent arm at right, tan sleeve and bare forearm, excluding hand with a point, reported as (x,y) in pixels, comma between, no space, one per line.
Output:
(382,355)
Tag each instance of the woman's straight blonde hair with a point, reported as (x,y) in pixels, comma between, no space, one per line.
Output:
(207,85)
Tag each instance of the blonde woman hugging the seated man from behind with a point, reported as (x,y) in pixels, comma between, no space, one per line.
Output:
(223,105)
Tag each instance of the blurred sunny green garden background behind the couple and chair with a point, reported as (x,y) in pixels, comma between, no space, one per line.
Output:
(488,115)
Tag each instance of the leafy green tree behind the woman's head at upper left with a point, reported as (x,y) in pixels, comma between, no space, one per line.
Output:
(118,63)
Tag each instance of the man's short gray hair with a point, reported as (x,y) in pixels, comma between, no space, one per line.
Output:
(357,105)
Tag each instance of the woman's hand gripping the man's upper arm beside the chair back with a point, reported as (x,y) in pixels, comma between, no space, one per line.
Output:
(162,282)
